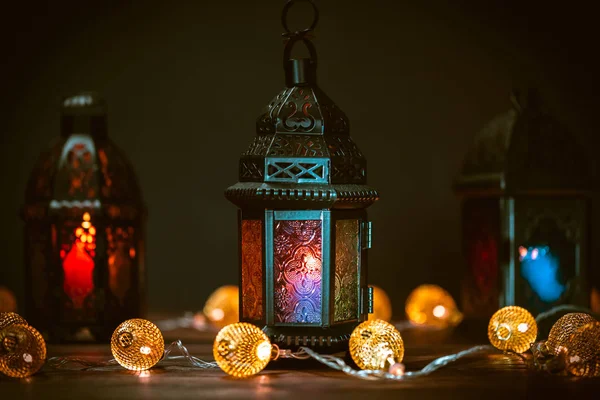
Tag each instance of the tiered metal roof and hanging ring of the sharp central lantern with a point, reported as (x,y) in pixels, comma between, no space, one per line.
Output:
(302,152)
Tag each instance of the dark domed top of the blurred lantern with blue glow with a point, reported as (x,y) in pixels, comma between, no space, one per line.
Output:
(525,149)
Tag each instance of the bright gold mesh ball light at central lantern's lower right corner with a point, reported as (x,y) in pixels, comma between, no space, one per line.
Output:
(376,345)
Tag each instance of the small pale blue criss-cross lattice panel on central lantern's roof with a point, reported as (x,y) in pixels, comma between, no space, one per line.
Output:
(293,170)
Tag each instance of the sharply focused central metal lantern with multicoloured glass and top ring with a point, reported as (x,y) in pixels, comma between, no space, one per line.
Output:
(302,221)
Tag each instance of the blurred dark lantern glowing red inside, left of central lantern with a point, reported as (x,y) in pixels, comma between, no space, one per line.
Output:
(84,234)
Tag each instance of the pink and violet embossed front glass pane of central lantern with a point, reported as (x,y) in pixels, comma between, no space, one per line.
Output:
(297,268)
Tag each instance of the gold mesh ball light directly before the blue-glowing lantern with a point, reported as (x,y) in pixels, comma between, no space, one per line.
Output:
(512,328)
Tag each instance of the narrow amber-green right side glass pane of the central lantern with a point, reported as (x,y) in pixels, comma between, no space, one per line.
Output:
(347,256)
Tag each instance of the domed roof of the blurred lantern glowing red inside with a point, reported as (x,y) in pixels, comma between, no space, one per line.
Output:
(83,168)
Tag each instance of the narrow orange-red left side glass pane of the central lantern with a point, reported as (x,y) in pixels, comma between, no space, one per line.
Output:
(252,274)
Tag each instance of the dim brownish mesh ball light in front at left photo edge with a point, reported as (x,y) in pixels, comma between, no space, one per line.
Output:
(22,351)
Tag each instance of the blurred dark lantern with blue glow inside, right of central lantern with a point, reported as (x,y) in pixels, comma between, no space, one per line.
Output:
(525,187)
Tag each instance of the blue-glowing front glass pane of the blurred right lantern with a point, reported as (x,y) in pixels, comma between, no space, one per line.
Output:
(547,264)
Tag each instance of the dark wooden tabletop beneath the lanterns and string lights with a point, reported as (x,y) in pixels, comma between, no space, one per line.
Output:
(488,375)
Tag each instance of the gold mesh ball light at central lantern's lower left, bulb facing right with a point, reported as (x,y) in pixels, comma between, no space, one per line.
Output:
(242,349)
